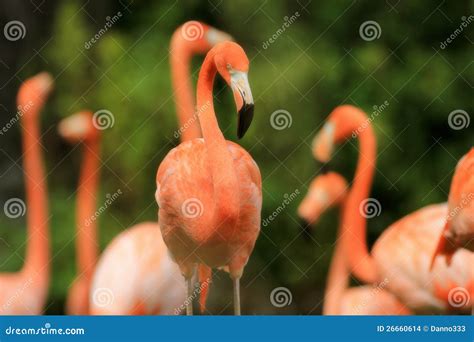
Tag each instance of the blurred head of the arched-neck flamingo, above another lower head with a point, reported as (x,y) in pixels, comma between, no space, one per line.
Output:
(343,122)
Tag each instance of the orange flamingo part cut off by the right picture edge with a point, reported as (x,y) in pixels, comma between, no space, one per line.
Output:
(459,229)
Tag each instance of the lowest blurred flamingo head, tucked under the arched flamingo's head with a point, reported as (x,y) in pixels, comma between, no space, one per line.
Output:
(325,191)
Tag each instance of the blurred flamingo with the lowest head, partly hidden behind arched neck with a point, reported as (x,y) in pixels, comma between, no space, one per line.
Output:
(326,191)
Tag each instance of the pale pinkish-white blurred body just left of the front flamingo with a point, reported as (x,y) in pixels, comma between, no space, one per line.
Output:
(136,276)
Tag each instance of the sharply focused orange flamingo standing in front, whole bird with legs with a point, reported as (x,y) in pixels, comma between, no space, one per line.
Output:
(209,189)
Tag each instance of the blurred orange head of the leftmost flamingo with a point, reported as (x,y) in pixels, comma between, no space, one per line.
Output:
(33,93)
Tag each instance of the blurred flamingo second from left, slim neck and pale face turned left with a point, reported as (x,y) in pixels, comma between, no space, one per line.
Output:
(79,128)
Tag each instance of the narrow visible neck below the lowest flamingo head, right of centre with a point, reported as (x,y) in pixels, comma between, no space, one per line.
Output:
(338,277)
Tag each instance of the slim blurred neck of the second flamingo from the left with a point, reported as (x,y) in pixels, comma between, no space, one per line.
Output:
(86,241)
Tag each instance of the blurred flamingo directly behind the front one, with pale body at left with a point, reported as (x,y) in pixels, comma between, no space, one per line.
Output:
(138,255)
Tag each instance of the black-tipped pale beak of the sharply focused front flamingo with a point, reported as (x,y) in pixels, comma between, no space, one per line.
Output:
(239,83)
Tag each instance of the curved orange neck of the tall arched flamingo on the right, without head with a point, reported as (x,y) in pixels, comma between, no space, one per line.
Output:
(354,223)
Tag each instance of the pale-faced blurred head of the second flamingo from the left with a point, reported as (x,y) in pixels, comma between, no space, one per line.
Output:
(78,127)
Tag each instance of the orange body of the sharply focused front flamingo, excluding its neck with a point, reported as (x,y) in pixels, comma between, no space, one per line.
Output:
(184,179)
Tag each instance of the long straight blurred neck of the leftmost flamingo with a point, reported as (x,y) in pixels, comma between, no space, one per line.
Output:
(37,261)
